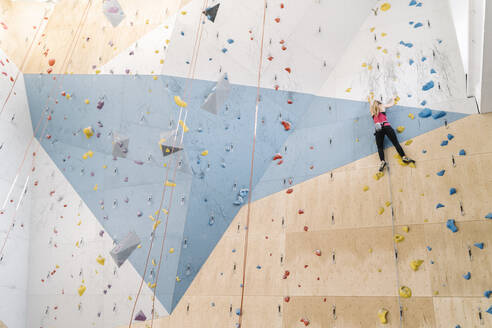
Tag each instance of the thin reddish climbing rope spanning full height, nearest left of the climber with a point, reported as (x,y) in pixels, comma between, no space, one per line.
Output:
(248,216)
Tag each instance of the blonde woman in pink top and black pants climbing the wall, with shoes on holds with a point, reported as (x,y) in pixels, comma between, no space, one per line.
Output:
(383,127)
